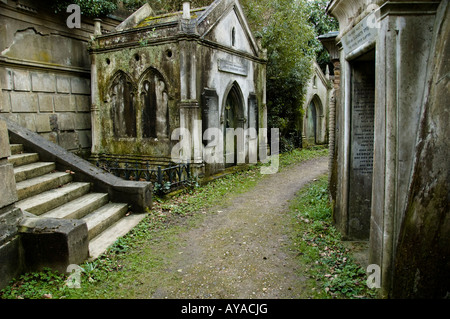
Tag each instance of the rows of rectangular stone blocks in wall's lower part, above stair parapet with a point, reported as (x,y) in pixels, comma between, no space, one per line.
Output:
(55,105)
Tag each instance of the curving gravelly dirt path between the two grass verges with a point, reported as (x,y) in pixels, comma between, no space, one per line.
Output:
(241,251)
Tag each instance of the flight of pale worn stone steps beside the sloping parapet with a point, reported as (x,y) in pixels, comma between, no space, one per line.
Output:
(47,193)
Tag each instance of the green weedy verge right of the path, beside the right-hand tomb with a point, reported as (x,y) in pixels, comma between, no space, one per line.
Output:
(332,270)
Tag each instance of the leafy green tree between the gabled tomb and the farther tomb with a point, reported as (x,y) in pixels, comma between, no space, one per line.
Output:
(286,35)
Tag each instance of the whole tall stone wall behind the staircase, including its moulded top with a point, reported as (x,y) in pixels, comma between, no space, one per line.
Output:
(45,73)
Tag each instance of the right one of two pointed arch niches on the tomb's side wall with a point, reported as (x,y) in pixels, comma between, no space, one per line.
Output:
(155,105)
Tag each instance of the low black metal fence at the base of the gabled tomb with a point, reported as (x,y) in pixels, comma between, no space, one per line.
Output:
(170,177)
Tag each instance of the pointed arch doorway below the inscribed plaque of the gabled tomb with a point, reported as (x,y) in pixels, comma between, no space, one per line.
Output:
(233,120)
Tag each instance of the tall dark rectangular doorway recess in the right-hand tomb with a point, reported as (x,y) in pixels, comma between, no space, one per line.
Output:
(362,88)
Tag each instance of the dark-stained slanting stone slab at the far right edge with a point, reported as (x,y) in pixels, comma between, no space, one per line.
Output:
(422,263)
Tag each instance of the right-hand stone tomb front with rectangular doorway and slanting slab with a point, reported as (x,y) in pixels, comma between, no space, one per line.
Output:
(391,137)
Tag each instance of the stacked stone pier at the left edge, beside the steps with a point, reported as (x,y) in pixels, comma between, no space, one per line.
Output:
(10,216)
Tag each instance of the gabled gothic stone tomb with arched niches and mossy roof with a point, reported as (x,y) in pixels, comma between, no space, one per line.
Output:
(158,76)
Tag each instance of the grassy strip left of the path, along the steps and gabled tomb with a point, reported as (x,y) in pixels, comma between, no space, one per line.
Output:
(144,251)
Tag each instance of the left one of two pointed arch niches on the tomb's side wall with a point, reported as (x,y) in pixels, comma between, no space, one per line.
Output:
(122,101)
